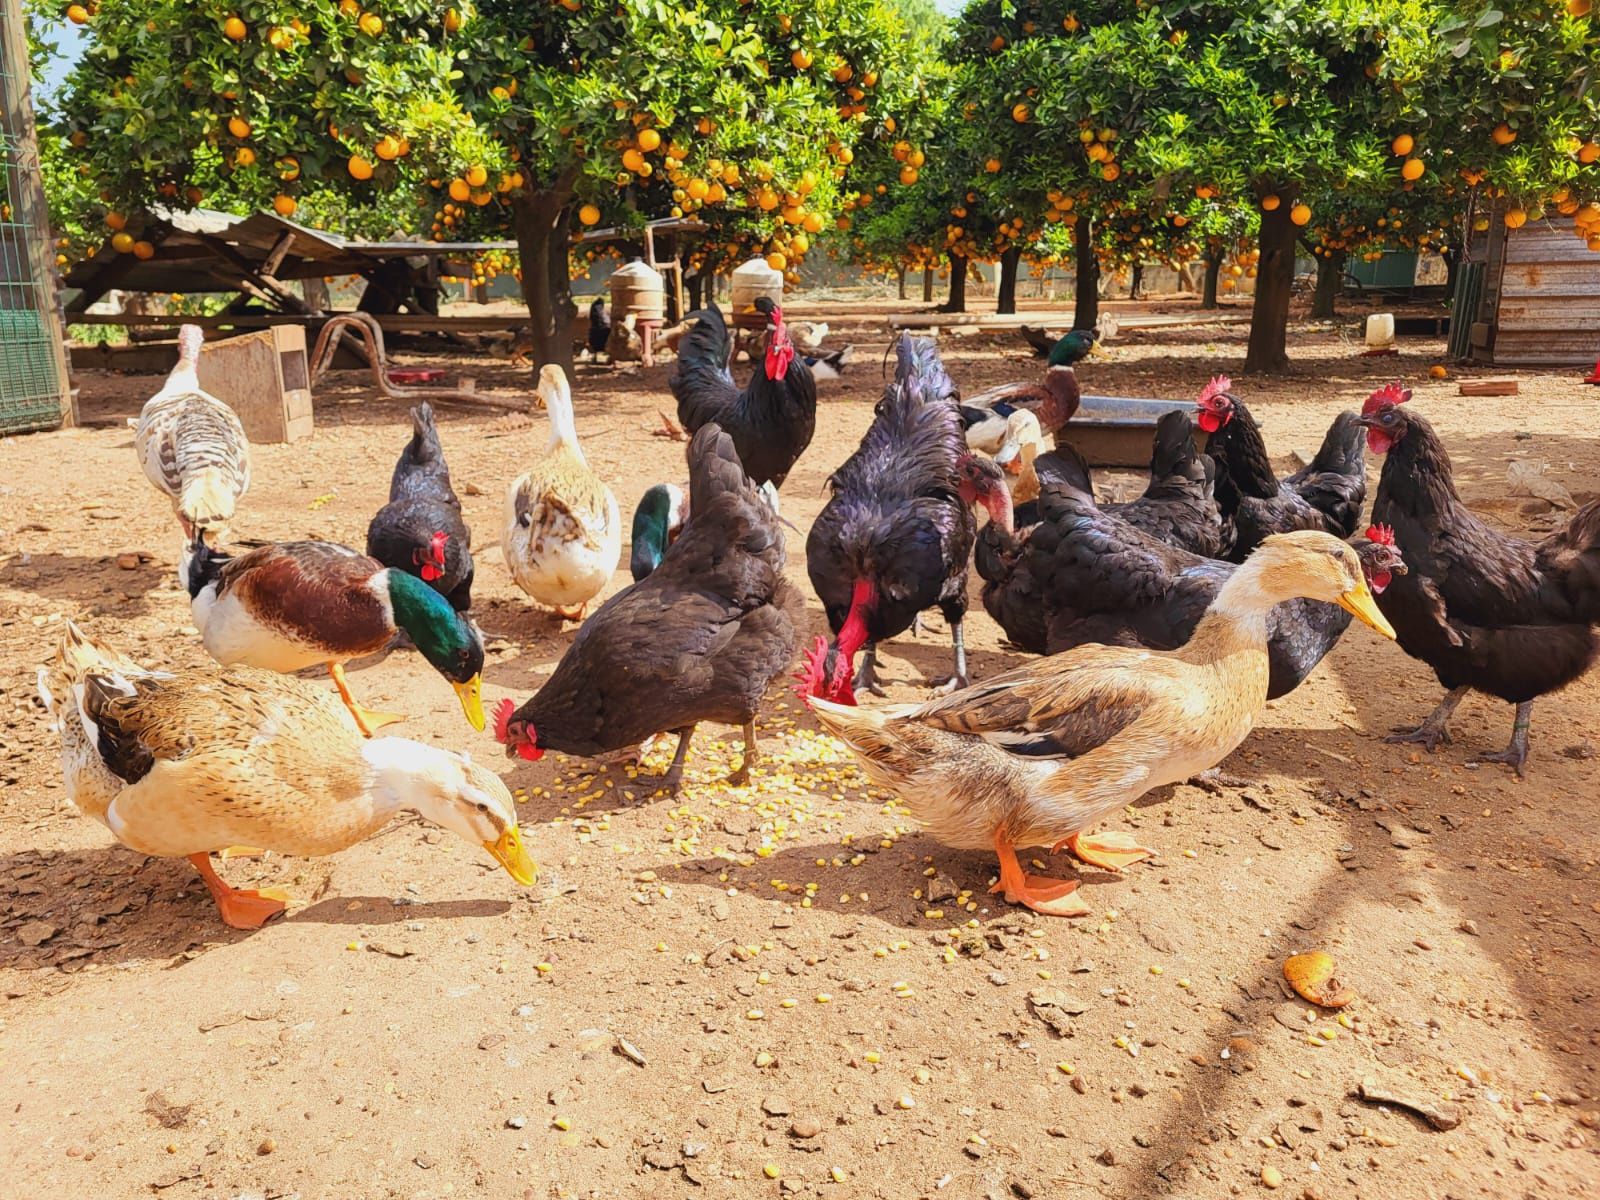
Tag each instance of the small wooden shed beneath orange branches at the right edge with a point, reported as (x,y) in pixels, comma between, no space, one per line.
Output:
(1538,298)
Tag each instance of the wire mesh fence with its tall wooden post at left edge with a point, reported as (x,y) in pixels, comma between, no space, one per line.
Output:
(33,374)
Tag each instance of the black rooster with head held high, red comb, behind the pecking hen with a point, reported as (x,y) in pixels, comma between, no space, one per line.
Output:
(772,420)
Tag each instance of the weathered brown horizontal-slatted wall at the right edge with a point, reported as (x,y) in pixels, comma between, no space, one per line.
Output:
(1548,300)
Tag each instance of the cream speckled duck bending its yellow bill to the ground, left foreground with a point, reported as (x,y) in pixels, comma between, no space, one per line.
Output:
(183,764)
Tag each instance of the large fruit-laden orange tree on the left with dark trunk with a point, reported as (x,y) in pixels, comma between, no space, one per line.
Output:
(526,119)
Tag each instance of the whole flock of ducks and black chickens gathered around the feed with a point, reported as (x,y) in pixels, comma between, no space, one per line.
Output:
(1150,634)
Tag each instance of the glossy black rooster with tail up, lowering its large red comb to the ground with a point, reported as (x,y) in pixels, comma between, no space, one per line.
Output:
(898,532)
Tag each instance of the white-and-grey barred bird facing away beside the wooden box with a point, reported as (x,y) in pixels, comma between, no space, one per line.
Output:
(193,446)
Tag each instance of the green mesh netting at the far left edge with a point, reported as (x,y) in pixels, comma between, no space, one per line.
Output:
(31,390)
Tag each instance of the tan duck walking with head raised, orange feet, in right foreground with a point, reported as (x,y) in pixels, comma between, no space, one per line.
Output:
(1039,754)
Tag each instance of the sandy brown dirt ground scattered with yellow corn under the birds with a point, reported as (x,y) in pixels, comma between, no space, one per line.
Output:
(788,990)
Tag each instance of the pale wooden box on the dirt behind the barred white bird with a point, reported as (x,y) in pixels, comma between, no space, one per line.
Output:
(266,378)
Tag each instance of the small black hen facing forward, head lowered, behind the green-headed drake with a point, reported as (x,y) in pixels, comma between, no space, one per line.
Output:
(422,530)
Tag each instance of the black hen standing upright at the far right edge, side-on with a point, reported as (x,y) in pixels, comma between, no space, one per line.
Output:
(1486,610)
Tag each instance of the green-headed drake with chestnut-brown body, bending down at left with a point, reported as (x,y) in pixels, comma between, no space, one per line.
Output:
(295,606)
